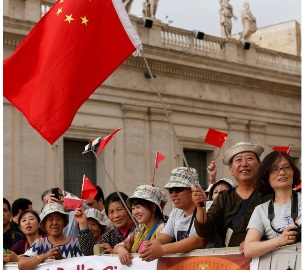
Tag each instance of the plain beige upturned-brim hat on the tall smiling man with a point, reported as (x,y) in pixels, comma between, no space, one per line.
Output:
(239,148)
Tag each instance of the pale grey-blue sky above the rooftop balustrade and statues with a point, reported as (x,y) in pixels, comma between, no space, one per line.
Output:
(204,15)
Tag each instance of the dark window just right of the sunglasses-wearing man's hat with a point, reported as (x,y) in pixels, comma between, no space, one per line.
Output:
(198,160)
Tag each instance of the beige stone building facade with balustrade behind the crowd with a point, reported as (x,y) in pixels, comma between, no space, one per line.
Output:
(253,95)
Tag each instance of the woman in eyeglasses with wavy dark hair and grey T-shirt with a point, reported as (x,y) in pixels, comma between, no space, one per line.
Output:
(277,220)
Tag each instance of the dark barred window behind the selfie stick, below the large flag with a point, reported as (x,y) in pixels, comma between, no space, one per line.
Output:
(76,165)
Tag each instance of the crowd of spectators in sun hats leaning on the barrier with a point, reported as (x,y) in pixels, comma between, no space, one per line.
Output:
(257,212)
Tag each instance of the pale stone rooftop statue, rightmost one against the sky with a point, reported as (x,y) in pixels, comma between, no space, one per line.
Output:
(248,22)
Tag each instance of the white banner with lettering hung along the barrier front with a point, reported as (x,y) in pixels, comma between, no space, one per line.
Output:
(91,263)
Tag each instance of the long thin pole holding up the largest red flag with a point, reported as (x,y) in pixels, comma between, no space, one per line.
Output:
(170,123)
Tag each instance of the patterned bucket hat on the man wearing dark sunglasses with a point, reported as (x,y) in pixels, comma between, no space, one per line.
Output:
(180,177)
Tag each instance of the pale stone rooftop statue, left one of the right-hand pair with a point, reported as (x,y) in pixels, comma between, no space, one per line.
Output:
(226,15)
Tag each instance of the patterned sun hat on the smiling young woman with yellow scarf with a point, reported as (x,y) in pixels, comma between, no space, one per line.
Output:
(149,193)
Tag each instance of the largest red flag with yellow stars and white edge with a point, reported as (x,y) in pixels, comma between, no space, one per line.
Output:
(63,60)
